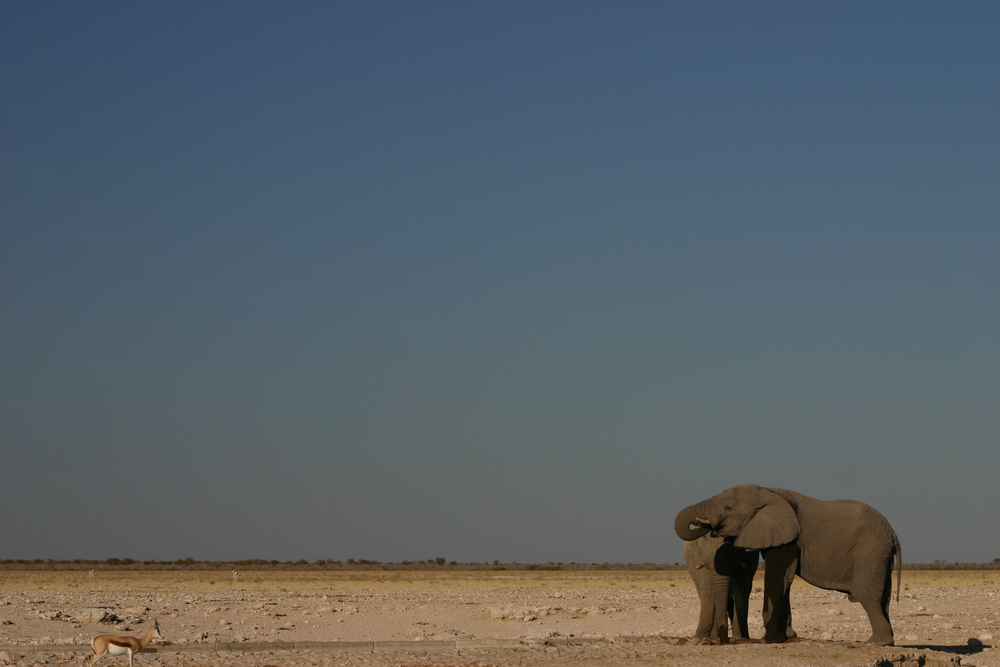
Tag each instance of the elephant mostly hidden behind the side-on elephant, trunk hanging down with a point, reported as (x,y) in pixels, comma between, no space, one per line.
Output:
(723,575)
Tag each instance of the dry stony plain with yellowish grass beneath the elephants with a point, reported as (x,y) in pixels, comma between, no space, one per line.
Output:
(480,618)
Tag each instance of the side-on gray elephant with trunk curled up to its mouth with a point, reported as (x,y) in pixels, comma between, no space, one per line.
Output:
(841,545)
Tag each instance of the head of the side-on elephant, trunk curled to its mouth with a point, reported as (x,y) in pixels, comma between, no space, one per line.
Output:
(754,517)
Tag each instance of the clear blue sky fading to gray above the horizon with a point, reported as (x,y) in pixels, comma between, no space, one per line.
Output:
(510,280)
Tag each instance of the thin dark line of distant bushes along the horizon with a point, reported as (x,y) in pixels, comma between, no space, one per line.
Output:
(362,564)
